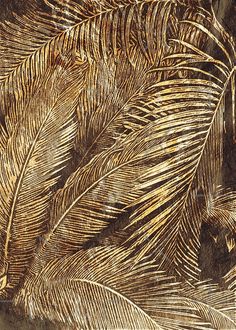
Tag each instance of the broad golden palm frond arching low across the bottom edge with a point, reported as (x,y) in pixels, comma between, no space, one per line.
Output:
(101,289)
